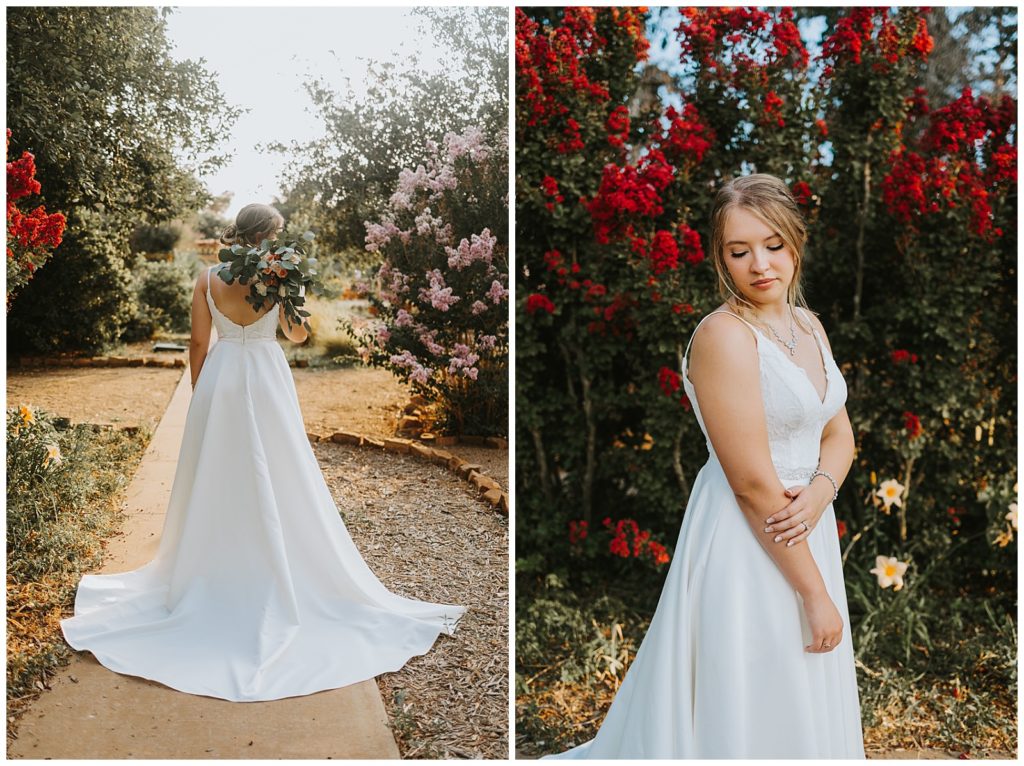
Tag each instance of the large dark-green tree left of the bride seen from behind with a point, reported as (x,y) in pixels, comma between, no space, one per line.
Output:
(120,131)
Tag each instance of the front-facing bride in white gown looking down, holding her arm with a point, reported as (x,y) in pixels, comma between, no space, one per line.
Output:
(749,654)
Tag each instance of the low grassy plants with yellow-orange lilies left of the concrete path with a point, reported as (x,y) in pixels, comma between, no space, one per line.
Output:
(60,484)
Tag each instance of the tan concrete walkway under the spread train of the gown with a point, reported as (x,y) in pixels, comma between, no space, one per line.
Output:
(92,712)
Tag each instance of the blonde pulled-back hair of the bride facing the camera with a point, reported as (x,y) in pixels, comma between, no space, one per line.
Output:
(769,199)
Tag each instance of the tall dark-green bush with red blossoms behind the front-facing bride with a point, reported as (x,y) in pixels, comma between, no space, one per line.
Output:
(912,264)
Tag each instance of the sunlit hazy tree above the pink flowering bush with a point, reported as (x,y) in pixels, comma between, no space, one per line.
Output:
(351,173)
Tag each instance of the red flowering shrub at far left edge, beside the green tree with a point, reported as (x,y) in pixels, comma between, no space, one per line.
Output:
(31,236)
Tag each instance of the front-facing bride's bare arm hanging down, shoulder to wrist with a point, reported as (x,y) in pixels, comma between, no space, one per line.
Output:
(727,380)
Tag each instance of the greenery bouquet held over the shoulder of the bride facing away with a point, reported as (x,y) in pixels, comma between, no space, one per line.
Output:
(277,273)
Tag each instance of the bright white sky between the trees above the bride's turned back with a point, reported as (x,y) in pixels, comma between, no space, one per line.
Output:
(300,46)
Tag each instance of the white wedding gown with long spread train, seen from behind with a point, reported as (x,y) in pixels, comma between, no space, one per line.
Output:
(258,591)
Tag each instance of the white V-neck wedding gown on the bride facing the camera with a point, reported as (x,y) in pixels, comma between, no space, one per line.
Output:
(722,672)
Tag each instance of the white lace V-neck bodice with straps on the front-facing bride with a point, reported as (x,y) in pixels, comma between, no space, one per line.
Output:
(795,414)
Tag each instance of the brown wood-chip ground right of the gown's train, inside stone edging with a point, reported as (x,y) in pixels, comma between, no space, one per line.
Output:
(426,536)
